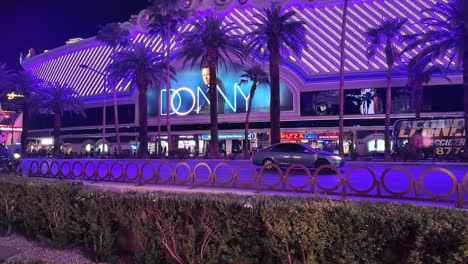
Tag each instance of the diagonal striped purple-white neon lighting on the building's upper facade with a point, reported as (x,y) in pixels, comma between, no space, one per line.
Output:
(323,27)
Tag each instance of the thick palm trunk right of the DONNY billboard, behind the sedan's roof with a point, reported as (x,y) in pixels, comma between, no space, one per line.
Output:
(275,110)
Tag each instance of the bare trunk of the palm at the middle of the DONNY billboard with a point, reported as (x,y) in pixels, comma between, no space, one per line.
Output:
(214,142)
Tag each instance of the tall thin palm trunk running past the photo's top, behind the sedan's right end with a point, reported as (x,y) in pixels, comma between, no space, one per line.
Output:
(342,62)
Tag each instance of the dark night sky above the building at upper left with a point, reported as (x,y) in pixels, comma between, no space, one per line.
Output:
(47,24)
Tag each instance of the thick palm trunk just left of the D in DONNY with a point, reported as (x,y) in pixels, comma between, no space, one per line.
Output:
(143,118)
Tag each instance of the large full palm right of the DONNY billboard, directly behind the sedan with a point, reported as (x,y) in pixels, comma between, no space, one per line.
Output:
(275,33)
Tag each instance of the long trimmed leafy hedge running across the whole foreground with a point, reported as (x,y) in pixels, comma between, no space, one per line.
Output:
(227,228)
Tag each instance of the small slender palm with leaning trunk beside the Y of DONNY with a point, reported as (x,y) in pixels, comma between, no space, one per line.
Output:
(256,75)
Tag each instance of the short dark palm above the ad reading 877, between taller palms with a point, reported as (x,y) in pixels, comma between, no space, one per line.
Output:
(419,73)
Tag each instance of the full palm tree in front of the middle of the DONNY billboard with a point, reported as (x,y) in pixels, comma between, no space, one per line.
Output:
(211,43)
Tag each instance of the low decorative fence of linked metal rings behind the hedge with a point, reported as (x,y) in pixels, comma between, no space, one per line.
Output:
(244,175)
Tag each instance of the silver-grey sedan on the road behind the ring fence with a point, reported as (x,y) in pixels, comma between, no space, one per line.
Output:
(286,154)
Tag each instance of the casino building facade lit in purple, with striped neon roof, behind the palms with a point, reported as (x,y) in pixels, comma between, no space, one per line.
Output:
(309,84)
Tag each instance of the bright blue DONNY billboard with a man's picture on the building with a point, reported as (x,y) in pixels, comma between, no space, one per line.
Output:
(189,95)
